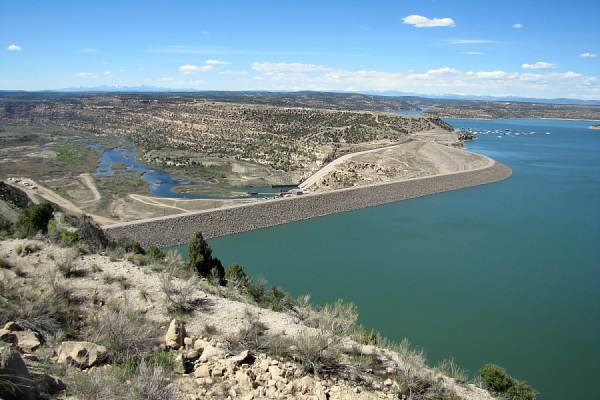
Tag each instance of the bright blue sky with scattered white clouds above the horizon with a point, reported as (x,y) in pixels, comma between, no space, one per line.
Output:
(531,48)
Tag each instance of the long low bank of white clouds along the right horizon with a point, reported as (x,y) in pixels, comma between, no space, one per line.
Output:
(445,80)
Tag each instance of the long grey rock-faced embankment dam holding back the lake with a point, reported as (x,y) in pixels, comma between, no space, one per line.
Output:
(178,229)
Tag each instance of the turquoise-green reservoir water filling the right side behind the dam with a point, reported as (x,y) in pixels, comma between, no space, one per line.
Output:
(507,273)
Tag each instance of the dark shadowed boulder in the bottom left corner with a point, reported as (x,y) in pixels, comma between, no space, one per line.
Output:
(18,384)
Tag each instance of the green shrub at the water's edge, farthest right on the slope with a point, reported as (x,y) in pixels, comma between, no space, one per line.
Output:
(497,380)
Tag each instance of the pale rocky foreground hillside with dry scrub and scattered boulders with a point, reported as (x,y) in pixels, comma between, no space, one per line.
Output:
(120,325)
